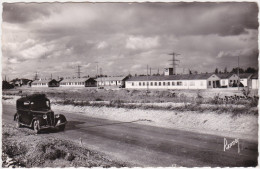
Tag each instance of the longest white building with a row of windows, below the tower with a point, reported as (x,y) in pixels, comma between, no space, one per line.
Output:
(187,81)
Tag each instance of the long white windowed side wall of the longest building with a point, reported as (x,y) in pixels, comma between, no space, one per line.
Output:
(172,84)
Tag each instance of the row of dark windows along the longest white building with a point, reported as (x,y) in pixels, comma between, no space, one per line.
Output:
(178,83)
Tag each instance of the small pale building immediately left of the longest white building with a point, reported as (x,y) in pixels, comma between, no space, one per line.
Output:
(111,81)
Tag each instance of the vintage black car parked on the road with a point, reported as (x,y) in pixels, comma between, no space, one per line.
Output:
(35,111)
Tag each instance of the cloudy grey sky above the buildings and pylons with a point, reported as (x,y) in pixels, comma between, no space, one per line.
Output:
(53,38)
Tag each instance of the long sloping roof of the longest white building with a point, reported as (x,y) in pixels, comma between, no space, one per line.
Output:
(172,77)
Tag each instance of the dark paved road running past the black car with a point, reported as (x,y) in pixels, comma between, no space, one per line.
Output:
(147,146)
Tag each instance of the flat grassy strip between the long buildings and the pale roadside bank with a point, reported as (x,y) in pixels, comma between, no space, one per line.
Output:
(191,100)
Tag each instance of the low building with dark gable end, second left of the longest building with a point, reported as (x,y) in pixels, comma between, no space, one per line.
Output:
(78,82)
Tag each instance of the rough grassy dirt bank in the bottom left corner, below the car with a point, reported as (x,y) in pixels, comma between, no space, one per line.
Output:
(22,148)
